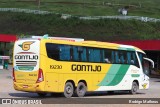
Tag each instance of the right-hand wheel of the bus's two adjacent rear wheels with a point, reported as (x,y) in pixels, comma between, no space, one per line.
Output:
(81,89)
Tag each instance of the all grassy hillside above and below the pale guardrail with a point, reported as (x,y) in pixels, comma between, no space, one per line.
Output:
(102,30)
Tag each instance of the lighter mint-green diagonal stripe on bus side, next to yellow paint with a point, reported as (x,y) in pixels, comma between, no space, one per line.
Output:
(110,75)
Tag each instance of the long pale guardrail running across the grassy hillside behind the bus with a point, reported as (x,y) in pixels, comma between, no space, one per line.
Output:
(65,16)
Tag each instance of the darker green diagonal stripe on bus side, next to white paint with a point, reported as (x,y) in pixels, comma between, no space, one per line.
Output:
(119,76)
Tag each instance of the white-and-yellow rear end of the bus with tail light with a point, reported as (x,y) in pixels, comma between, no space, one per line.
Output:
(27,75)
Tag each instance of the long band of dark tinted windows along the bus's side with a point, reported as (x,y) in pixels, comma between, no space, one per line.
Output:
(88,54)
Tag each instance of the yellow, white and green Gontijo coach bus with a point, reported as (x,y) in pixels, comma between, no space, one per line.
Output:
(73,68)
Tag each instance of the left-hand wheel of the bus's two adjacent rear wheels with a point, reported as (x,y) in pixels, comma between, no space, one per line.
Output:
(68,90)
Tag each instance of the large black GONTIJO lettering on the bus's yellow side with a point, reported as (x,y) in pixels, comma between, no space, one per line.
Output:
(96,68)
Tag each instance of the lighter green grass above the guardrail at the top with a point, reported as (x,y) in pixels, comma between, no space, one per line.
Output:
(149,8)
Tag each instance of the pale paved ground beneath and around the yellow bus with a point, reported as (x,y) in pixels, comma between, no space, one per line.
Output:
(7,90)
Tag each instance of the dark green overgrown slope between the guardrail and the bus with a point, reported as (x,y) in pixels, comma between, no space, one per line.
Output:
(54,25)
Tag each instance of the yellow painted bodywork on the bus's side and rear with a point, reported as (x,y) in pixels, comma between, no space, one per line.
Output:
(55,79)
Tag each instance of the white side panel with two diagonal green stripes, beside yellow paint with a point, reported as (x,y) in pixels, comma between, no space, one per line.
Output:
(119,77)
